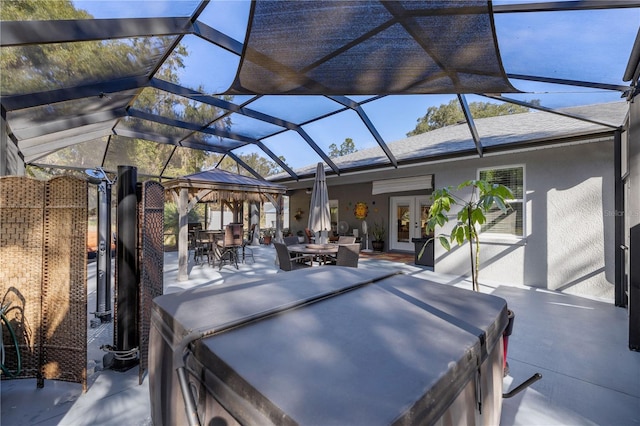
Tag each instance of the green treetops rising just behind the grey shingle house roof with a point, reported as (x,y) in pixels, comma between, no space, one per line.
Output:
(451,113)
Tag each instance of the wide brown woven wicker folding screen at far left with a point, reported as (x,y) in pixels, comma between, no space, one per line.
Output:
(43,278)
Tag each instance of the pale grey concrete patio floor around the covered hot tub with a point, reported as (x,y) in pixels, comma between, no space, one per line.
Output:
(579,345)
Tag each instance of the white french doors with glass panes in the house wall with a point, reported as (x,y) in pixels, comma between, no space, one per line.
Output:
(408,219)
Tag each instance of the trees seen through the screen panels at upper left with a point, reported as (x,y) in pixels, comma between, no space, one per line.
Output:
(34,68)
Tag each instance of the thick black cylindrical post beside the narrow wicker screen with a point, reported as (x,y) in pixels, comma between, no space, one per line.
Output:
(127,267)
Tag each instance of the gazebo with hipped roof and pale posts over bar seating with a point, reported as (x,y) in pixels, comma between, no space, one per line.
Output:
(225,187)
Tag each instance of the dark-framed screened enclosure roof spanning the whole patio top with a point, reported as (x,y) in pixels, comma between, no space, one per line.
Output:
(268,88)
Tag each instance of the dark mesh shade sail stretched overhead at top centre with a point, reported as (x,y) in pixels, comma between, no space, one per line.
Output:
(367,47)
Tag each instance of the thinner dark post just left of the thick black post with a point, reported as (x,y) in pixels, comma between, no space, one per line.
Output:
(103,302)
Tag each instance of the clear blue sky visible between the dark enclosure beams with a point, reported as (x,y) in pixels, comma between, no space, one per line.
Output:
(580,45)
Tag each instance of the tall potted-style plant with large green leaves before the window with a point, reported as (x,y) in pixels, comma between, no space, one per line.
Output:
(484,196)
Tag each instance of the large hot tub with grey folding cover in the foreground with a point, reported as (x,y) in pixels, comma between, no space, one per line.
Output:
(327,346)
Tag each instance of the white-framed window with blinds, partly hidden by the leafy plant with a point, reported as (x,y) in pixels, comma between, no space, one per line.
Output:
(510,223)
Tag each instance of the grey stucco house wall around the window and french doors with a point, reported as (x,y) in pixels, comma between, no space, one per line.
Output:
(569,216)
